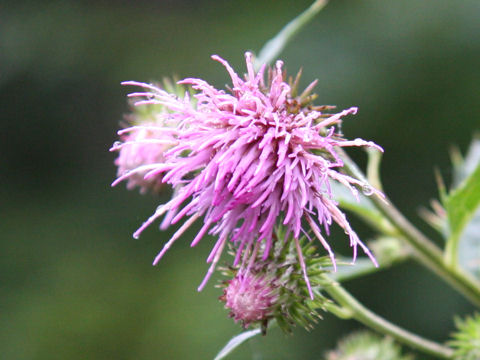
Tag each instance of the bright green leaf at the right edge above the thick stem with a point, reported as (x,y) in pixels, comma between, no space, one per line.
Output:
(461,206)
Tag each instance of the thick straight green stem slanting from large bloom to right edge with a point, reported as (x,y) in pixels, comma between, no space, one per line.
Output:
(424,249)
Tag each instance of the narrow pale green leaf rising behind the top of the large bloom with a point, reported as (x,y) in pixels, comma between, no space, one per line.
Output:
(274,46)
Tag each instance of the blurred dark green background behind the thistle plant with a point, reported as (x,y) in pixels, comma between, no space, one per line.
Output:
(75,284)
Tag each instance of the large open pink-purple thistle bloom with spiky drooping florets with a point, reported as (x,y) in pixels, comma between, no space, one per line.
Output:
(248,159)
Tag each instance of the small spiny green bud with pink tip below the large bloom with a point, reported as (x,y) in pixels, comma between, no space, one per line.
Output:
(274,288)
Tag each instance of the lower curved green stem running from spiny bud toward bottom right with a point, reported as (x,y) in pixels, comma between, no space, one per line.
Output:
(375,322)
